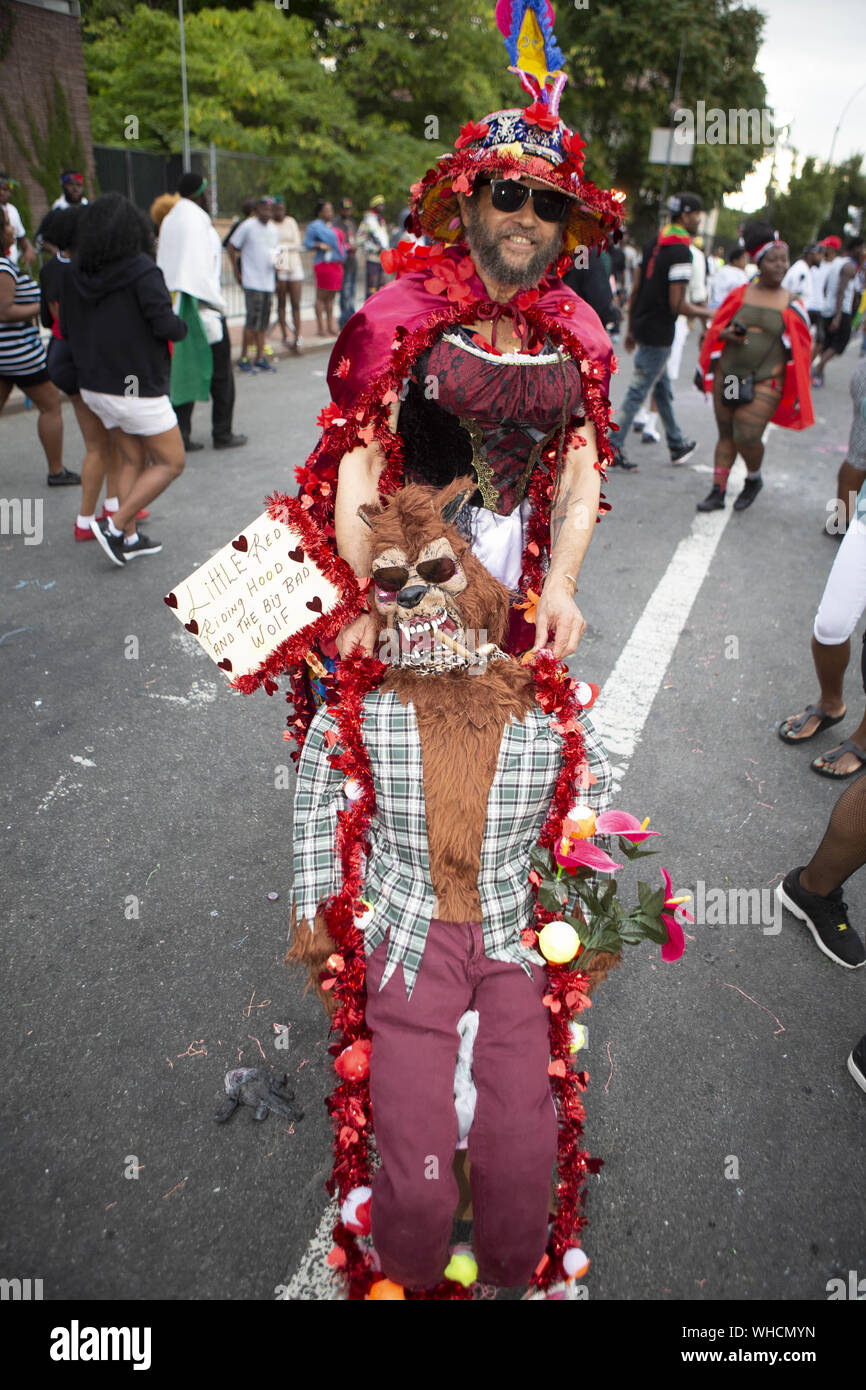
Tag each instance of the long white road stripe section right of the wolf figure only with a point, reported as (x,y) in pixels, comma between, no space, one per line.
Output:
(626,700)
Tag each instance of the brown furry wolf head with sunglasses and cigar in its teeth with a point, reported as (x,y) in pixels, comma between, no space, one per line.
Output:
(426,578)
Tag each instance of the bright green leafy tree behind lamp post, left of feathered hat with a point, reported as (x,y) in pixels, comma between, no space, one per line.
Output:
(256,84)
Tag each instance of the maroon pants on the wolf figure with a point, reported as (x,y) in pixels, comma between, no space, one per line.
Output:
(512,1145)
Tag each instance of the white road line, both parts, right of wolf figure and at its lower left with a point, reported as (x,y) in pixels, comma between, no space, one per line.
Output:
(619,717)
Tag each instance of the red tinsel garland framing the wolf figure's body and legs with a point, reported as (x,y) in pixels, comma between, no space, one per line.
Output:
(350,1104)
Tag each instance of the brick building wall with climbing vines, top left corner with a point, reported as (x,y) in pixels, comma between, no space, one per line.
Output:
(41,40)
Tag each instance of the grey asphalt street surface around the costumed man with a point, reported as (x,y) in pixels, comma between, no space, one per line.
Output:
(148,818)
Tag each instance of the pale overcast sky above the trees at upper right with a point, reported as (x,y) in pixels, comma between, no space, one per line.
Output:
(814,60)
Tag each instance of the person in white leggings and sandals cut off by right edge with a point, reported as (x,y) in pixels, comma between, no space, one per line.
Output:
(840,611)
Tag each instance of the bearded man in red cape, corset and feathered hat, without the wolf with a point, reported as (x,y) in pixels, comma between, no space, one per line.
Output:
(477,359)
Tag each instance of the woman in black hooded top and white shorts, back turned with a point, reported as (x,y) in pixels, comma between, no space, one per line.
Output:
(117,318)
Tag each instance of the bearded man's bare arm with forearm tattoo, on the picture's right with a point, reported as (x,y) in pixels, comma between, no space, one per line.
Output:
(573,514)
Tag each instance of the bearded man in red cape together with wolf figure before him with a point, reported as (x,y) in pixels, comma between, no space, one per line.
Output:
(430,779)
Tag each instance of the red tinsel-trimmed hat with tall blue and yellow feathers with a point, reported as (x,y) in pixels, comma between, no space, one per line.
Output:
(522,142)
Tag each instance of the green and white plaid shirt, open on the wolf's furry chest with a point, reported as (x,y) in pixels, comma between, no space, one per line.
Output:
(398,881)
